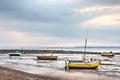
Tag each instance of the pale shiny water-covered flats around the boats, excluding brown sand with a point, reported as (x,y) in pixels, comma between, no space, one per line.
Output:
(55,68)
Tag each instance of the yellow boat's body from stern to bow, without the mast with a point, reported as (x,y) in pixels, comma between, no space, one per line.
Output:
(76,64)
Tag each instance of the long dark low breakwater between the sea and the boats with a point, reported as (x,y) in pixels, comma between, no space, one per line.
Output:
(46,51)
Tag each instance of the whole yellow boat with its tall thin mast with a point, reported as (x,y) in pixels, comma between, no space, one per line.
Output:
(84,63)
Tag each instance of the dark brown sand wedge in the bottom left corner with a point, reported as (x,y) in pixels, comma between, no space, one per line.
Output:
(10,74)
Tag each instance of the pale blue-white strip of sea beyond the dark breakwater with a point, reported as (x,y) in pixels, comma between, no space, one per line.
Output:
(77,48)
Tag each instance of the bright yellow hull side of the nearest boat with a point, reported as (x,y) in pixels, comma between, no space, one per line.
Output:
(80,65)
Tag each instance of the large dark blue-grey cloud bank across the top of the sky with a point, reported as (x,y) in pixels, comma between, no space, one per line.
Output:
(25,10)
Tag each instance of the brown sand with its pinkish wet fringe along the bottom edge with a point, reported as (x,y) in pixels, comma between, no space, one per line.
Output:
(10,74)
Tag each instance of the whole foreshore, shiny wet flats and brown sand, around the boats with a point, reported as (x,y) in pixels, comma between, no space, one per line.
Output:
(27,67)
